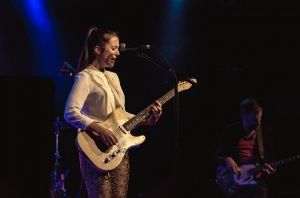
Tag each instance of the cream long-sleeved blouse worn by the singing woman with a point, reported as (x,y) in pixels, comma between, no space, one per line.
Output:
(94,95)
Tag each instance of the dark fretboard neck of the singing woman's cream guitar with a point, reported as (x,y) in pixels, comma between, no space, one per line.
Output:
(138,118)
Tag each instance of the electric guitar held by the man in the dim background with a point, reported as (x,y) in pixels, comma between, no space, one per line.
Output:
(230,183)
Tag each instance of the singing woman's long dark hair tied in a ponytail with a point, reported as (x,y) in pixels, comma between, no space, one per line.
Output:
(95,36)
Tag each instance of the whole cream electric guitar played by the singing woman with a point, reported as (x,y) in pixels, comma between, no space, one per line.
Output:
(105,159)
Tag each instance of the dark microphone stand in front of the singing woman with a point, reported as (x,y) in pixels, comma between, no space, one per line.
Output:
(176,97)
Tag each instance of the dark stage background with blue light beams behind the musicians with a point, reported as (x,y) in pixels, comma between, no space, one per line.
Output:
(234,48)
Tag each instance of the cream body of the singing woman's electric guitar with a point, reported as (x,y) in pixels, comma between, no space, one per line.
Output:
(106,159)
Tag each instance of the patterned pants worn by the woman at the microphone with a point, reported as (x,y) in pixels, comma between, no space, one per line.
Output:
(113,184)
